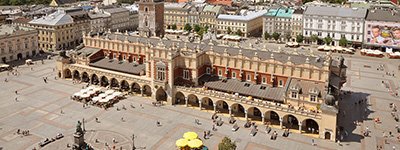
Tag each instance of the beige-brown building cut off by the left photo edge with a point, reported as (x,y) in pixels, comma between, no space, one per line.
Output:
(17,43)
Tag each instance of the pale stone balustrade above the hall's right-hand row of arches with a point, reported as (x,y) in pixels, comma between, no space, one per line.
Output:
(255,102)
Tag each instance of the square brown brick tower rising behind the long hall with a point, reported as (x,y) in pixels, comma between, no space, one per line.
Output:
(151,18)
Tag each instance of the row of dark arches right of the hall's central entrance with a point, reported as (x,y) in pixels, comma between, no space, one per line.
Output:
(252,113)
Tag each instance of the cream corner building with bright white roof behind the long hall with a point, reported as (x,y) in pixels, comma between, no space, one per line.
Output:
(250,25)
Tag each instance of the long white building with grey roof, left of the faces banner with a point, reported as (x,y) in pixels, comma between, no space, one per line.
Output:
(335,22)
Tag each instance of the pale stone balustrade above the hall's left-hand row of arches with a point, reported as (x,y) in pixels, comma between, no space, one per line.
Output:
(124,76)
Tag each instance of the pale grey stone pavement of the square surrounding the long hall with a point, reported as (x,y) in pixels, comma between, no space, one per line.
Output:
(38,109)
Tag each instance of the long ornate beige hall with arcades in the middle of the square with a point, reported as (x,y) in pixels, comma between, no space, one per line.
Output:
(286,90)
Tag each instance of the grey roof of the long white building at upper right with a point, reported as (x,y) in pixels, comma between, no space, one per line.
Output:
(336,11)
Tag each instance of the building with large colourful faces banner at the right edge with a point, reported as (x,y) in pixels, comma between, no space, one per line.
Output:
(382,29)
